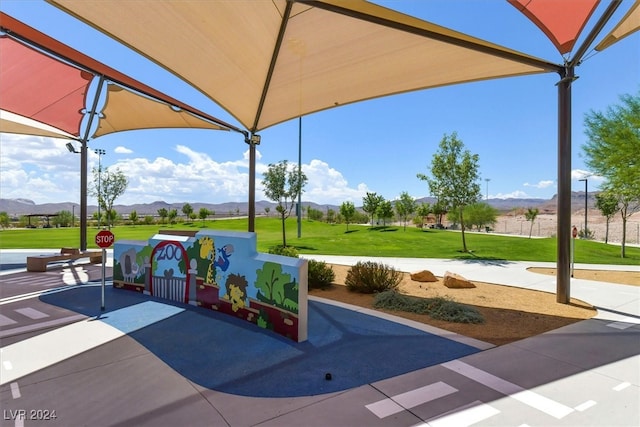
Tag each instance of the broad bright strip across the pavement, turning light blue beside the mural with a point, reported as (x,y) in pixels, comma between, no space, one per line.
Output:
(52,347)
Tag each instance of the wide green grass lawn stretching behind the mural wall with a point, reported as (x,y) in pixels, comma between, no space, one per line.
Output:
(326,239)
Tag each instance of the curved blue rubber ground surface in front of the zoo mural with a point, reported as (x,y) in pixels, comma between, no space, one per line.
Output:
(225,354)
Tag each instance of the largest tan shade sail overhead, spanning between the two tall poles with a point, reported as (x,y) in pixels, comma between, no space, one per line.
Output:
(266,62)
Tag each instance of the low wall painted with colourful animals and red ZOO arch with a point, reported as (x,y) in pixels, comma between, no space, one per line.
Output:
(218,270)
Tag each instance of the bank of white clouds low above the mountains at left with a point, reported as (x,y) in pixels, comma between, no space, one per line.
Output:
(43,170)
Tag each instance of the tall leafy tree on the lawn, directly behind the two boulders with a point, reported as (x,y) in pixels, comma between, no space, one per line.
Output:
(455,177)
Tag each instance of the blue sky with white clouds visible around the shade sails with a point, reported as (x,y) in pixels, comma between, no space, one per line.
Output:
(376,146)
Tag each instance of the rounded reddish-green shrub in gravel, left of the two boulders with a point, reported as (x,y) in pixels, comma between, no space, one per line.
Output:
(371,277)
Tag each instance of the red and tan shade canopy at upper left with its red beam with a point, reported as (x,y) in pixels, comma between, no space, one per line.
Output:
(48,82)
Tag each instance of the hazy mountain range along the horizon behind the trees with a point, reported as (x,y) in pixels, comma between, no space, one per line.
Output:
(17,207)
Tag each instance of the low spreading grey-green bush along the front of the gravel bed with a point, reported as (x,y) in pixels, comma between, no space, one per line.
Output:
(437,308)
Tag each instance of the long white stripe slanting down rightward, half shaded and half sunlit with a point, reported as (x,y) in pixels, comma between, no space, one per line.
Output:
(530,398)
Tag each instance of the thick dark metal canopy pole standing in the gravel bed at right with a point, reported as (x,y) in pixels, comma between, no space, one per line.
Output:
(563,285)
